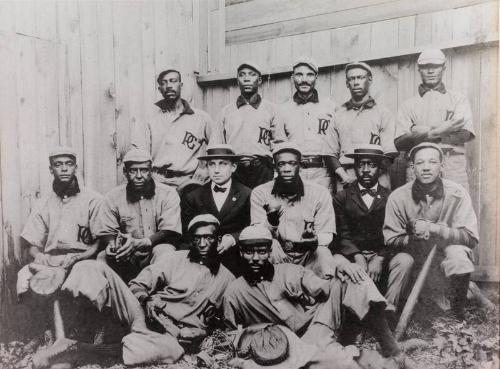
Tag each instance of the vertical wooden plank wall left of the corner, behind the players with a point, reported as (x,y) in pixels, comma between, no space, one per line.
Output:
(79,74)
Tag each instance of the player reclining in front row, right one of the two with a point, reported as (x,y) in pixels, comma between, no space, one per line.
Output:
(293,296)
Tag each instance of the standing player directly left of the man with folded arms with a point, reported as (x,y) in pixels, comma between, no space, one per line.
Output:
(361,120)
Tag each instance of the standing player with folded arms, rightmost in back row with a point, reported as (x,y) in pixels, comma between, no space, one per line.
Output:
(437,115)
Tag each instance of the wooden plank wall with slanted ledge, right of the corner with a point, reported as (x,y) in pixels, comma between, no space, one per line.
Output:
(390,39)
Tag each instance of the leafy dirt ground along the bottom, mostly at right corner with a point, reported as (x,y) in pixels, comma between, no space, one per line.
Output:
(471,344)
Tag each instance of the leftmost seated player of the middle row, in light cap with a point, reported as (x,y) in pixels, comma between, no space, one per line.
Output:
(59,231)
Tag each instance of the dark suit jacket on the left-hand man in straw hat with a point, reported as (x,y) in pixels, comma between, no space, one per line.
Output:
(234,214)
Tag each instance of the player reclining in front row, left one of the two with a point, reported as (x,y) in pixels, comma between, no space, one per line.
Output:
(171,303)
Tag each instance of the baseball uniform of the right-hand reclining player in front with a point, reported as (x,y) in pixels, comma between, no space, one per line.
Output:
(294,296)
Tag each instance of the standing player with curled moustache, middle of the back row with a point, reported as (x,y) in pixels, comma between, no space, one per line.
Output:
(309,123)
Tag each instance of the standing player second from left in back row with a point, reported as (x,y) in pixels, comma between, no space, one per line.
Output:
(251,126)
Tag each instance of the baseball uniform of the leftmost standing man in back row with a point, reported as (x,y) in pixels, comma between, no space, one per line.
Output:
(174,141)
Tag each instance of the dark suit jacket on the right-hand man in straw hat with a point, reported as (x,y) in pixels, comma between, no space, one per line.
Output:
(360,228)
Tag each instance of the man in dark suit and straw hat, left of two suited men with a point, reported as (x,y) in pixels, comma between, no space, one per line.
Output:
(225,198)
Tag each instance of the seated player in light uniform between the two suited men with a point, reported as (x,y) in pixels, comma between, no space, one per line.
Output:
(299,214)
